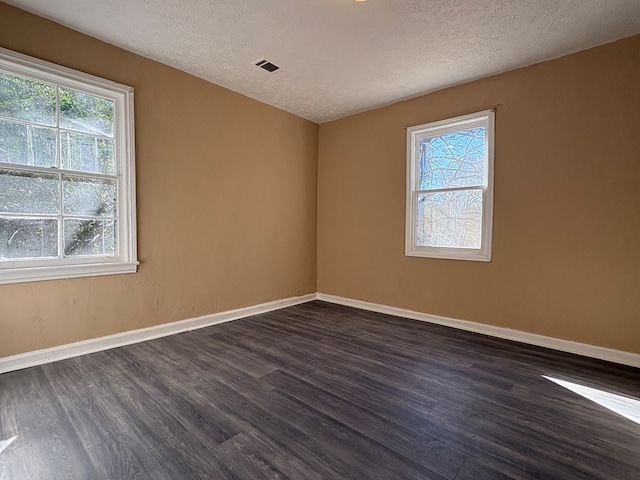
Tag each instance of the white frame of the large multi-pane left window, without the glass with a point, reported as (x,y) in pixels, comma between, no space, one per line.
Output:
(125,261)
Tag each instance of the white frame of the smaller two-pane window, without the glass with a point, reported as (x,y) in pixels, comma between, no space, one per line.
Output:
(484,118)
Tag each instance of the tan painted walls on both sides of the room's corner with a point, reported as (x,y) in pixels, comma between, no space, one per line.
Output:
(227,203)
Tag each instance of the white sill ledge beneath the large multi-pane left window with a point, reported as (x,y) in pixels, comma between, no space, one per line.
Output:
(36,274)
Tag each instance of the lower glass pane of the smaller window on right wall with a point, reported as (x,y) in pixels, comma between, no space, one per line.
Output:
(449,219)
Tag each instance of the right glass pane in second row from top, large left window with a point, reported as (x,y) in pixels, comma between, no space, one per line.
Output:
(86,153)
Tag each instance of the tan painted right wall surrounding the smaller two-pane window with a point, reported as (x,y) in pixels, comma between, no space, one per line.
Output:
(566,250)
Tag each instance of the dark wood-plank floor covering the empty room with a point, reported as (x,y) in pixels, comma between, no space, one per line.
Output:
(318,391)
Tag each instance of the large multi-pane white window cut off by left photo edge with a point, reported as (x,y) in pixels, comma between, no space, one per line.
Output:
(67,198)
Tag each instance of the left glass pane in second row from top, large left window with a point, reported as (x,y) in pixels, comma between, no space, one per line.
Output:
(27,144)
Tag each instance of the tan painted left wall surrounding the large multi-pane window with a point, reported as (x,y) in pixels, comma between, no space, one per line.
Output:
(226,202)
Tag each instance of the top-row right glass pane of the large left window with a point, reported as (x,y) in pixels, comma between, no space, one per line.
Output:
(86,113)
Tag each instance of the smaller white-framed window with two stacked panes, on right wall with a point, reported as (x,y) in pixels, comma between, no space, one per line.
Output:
(450,188)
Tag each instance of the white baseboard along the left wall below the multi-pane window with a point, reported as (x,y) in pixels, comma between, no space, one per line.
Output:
(47,355)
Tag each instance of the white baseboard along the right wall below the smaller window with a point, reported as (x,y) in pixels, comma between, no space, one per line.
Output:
(602,353)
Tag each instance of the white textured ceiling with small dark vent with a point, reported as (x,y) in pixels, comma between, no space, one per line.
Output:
(339,57)
